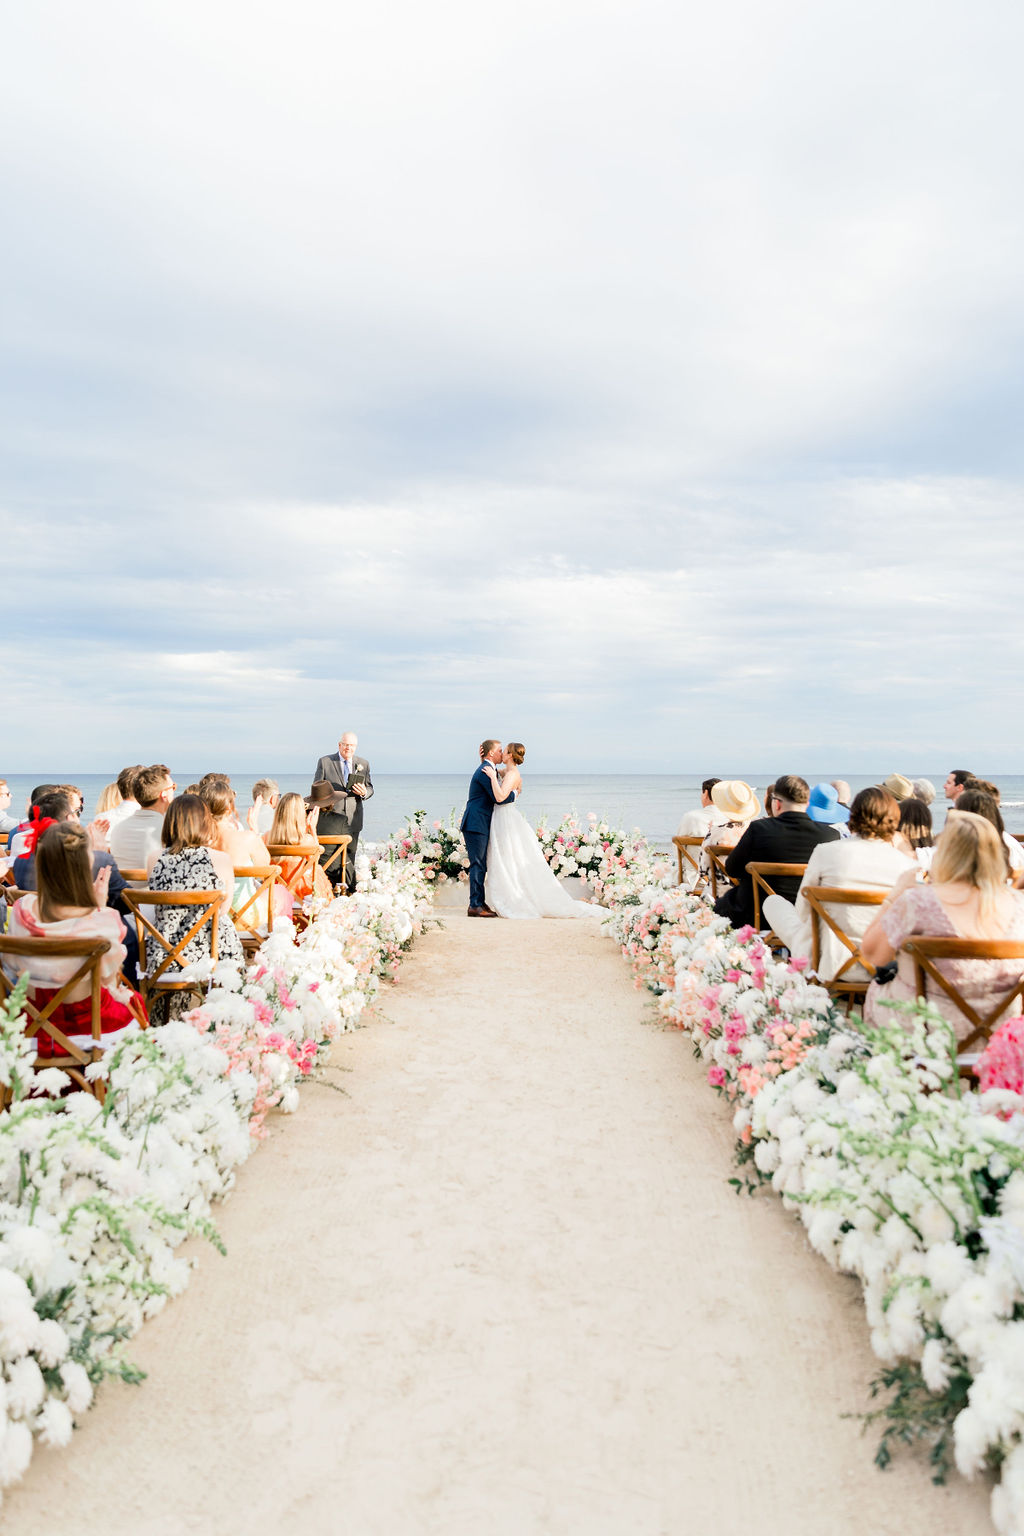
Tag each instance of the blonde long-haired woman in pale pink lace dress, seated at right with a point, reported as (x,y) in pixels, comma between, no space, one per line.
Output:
(966,898)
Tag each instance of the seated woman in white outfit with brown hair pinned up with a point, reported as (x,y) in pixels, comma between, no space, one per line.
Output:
(867,861)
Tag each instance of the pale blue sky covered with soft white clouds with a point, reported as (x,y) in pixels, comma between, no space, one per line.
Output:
(641,382)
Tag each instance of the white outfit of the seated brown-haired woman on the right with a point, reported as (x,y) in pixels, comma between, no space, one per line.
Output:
(860,864)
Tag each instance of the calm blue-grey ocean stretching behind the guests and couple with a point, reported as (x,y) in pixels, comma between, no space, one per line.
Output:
(652,803)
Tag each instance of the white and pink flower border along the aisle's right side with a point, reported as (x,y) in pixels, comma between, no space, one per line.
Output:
(900,1176)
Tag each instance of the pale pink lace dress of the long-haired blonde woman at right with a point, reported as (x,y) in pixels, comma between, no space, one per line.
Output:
(919,912)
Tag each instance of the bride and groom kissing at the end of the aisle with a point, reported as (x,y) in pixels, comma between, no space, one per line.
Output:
(509,875)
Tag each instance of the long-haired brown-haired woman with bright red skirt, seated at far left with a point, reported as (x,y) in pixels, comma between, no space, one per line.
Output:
(67,905)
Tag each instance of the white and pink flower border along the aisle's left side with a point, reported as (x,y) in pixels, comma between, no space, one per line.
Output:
(97,1197)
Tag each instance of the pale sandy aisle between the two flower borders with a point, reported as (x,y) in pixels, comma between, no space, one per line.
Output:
(503,1288)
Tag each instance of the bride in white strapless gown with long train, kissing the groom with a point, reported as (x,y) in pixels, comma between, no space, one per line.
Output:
(520,882)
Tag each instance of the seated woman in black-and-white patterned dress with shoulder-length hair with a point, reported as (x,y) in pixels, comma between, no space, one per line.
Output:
(191,862)
